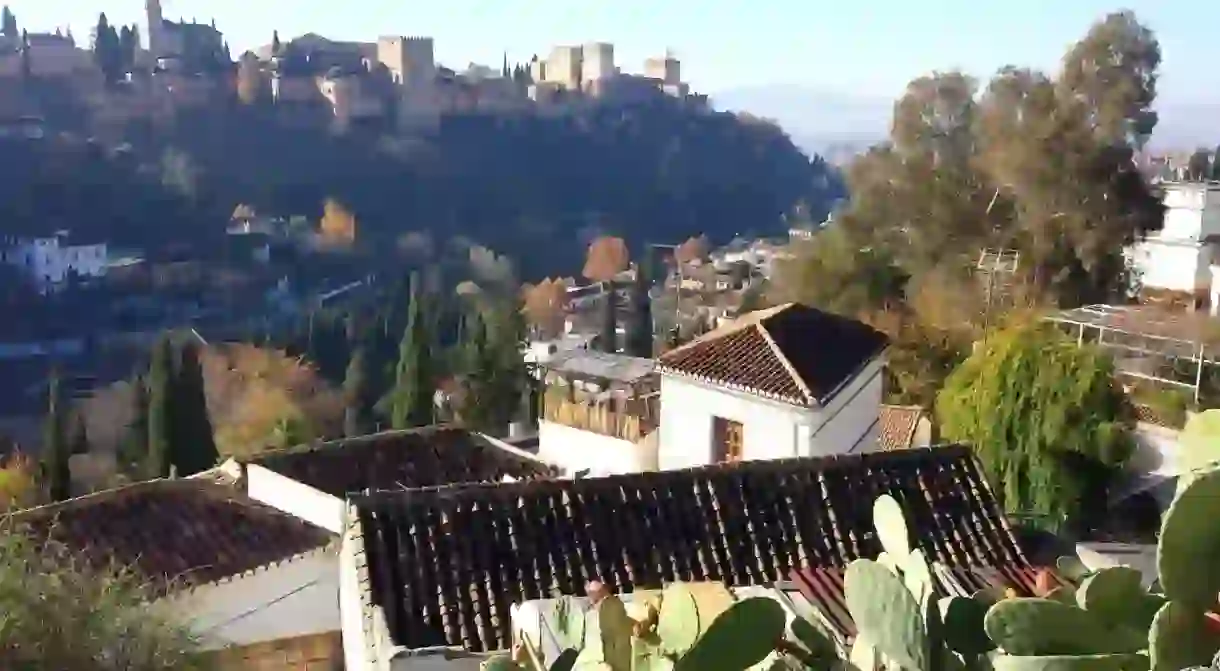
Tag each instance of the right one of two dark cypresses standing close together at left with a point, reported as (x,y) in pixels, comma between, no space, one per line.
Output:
(195,446)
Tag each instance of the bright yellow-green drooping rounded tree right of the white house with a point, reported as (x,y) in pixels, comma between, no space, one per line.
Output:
(1045,415)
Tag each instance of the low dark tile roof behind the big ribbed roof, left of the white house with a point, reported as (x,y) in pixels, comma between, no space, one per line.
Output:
(401,459)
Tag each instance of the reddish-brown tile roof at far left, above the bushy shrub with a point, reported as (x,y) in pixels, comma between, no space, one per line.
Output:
(175,533)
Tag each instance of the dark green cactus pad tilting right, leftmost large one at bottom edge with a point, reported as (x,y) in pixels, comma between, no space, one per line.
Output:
(741,637)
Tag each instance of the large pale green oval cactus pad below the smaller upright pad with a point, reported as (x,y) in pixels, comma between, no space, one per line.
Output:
(886,611)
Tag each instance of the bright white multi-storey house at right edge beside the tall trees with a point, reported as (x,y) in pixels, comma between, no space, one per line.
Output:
(1178,259)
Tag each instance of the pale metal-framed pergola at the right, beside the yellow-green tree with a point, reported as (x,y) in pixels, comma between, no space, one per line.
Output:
(1143,336)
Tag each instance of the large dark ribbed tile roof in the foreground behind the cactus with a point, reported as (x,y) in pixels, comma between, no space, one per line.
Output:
(446,564)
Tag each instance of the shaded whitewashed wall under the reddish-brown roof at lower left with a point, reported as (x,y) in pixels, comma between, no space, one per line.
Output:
(298,597)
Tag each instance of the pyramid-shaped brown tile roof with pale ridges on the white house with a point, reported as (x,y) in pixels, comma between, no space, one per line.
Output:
(791,353)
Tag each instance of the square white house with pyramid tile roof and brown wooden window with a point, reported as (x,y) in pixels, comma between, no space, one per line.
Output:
(791,381)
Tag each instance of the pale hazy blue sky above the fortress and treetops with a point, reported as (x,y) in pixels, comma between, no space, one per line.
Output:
(870,48)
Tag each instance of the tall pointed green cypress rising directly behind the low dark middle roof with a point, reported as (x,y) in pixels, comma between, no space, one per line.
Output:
(414,382)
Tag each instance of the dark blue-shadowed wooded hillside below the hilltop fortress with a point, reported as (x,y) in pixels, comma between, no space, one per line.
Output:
(535,188)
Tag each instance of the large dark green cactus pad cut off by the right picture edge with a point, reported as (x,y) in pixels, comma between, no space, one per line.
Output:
(1190,544)
